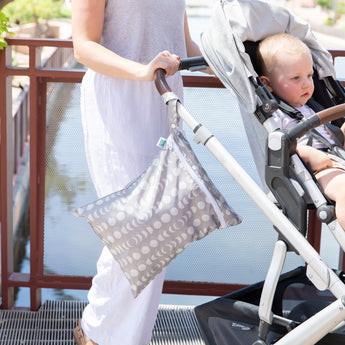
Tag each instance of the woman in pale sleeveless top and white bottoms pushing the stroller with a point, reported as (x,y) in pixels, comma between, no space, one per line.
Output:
(122,43)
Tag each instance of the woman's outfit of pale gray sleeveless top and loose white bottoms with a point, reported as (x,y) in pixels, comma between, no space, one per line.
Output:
(122,122)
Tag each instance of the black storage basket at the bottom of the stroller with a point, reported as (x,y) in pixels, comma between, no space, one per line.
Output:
(234,318)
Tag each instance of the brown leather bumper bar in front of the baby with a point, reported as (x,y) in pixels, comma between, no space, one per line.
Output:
(320,118)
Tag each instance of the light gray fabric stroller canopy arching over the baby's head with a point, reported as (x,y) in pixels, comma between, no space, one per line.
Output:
(236,21)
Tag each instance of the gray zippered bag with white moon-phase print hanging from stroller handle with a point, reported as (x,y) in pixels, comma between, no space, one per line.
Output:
(153,219)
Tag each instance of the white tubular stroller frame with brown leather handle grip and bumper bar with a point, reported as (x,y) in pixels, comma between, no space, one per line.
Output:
(322,276)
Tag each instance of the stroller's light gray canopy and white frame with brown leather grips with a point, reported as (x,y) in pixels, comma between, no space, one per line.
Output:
(286,176)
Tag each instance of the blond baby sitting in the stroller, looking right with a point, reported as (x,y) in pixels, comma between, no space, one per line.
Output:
(287,71)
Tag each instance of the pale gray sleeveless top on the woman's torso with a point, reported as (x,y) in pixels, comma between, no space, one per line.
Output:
(129,33)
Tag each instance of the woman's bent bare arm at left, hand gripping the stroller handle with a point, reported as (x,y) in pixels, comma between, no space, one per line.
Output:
(87,26)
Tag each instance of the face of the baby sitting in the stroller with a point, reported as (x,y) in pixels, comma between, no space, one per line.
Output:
(292,78)
